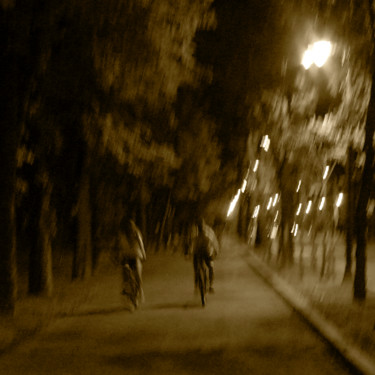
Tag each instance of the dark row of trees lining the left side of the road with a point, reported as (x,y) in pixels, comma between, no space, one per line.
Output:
(102,117)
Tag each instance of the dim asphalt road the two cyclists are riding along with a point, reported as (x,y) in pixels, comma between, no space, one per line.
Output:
(246,328)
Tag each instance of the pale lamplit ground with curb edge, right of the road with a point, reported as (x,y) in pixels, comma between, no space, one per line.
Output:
(325,302)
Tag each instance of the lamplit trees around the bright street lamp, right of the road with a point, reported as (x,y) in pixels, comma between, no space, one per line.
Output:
(319,117)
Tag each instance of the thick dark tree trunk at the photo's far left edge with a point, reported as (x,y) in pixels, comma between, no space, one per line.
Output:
(10,133)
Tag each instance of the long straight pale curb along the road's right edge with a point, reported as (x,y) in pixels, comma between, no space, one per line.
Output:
(349,351)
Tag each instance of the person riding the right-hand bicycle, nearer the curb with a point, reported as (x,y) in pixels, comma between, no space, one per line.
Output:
(205,249)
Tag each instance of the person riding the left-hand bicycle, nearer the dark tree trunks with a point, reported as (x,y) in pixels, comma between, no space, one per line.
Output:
(132,253)
